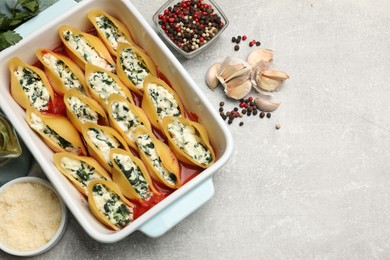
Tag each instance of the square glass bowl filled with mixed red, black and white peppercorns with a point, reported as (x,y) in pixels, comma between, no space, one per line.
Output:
(190,26)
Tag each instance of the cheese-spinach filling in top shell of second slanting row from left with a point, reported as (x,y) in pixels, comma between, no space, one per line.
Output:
(63,71)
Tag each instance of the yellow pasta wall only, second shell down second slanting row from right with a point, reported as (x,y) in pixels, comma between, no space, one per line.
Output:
(90,69)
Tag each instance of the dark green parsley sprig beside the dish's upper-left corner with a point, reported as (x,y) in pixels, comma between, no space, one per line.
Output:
(12,14)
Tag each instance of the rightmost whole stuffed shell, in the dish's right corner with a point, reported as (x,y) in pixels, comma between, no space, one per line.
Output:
(189,141)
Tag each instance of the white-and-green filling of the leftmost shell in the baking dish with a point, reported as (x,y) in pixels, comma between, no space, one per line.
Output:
(33,86)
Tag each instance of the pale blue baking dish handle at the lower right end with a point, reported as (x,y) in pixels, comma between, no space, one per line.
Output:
(179,210)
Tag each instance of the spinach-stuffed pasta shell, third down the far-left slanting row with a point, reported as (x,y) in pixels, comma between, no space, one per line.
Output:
(80,170)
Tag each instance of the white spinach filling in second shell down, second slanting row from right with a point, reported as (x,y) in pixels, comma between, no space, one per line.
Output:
(104,85)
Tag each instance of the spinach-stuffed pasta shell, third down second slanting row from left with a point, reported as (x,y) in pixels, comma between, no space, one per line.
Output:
(100,139)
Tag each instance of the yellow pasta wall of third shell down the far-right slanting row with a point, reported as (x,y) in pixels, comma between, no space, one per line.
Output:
(147,102)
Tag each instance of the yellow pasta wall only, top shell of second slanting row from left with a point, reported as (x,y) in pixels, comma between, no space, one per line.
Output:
(56,81)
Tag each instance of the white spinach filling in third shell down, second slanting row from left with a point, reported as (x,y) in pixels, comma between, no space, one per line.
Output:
(104,142)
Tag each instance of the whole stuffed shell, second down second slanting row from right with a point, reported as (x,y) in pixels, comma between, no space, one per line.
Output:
(102,84)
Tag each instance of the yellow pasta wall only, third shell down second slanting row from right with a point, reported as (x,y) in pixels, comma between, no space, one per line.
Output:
(137,111)
